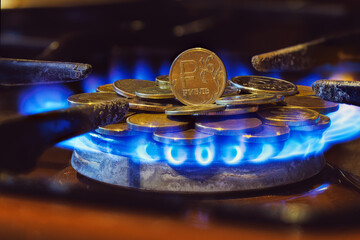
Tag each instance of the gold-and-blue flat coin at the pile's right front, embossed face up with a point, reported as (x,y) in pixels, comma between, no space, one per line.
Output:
(288,116)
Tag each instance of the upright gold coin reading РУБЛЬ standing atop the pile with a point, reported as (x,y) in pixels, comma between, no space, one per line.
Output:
(197,76)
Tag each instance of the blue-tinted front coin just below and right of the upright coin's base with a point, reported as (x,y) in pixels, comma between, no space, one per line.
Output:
(229,126)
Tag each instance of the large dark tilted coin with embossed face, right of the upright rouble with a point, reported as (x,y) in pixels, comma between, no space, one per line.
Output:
(261,84)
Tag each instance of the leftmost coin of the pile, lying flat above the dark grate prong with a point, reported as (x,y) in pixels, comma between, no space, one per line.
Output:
(92,98)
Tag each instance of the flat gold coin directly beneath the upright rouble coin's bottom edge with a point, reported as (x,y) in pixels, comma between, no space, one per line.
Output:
(194,110)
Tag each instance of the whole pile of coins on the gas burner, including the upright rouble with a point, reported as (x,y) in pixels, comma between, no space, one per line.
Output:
(196,102)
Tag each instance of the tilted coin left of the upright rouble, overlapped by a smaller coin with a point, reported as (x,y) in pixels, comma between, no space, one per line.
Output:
(127,87)
